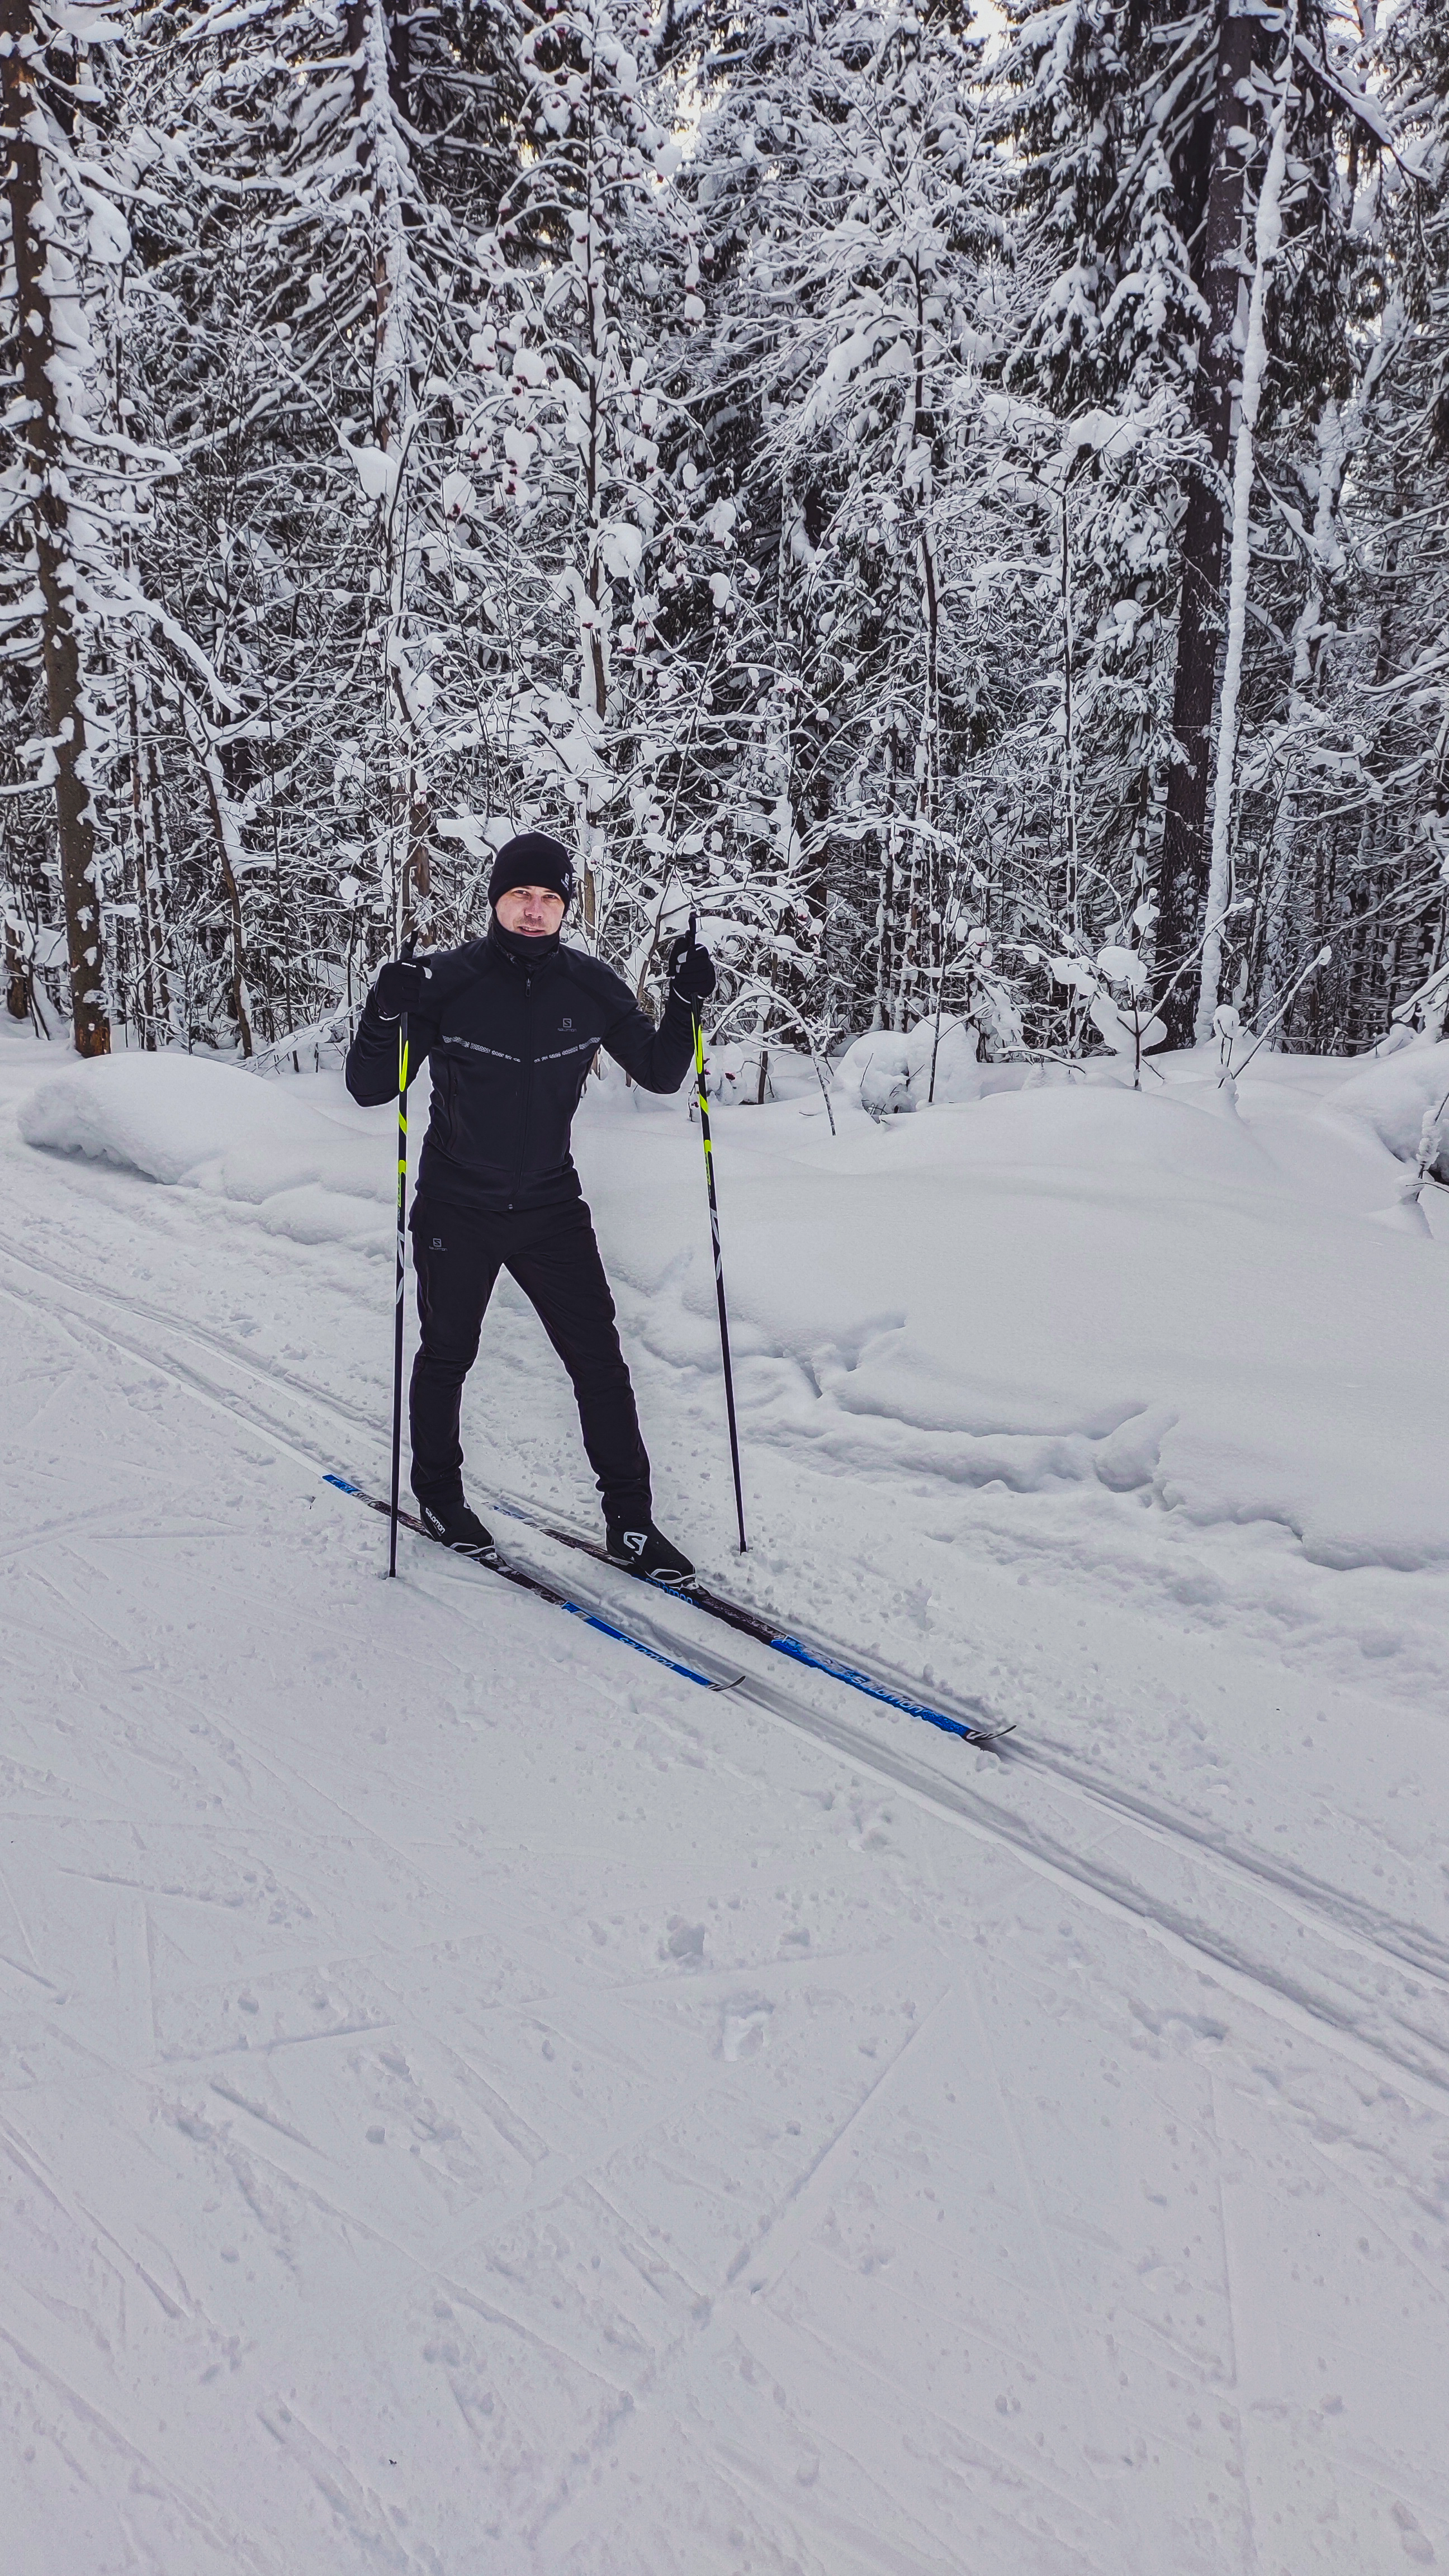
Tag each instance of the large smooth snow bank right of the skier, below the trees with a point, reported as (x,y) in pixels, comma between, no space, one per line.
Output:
(1058,1289)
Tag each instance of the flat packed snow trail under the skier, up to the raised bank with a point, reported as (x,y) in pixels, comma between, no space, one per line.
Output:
(478,2101)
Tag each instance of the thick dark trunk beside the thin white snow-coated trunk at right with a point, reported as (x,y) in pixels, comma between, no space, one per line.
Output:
(1182,885)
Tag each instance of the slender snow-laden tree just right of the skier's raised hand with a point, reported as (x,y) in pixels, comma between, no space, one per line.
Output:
(860,259)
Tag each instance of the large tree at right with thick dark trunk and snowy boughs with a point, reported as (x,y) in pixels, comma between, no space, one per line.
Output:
(1149,135)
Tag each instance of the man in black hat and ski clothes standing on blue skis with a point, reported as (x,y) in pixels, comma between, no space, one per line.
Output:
(512,1027)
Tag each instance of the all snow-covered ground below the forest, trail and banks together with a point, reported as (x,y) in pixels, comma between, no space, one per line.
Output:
(478,2103)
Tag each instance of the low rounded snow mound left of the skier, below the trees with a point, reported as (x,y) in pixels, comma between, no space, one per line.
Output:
(208,1127)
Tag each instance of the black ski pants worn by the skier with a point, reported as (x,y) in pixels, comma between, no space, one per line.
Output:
(556,1261)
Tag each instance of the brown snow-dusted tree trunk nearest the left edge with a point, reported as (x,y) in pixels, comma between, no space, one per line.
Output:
(50,519)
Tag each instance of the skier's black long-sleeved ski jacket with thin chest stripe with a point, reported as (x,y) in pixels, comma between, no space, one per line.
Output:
(512,1039)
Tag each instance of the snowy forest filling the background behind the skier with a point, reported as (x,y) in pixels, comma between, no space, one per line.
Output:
(953,498)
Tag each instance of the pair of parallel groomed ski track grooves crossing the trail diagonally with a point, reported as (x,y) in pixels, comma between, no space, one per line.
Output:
(1383,2036)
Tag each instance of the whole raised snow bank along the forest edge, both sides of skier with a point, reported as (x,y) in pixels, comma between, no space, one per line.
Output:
(1069,1287)
